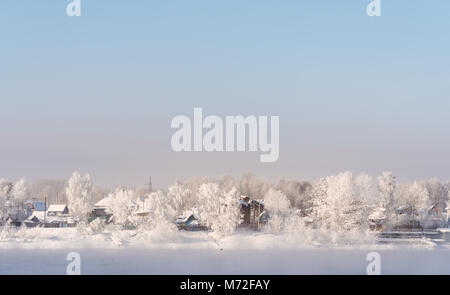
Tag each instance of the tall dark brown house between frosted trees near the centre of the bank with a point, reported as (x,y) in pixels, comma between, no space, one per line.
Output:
(253,212)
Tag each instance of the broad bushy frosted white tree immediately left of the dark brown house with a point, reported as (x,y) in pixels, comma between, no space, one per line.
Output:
(218,209)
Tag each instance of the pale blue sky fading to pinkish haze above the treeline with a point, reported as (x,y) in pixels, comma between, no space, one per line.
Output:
(97,93)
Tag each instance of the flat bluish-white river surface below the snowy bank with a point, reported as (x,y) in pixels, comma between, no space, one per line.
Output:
(209,261)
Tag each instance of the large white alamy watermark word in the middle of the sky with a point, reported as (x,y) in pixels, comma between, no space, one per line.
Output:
(227,135)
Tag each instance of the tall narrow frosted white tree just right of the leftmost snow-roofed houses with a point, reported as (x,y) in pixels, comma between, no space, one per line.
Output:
(79,196)
